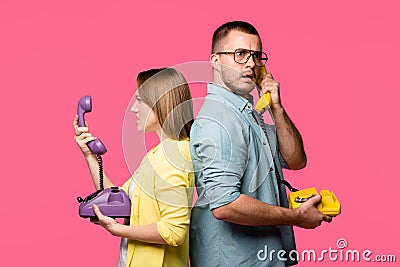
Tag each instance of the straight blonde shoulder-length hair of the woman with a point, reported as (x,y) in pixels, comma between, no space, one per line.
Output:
(166,91)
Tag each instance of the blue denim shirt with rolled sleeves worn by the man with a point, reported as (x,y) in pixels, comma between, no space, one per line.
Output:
(231,156)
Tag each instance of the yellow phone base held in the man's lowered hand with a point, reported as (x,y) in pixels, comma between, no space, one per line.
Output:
(329,204)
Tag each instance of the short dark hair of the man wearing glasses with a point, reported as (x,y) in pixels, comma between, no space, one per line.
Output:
(226,28)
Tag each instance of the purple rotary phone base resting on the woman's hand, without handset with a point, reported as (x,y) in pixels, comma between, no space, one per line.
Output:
(112,202)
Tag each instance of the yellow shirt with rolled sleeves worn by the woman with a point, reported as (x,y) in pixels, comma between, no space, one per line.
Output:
(162,193)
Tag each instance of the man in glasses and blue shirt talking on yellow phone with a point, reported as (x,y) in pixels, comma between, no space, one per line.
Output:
(242,213)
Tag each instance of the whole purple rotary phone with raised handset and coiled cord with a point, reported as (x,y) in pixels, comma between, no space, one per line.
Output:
(112,202)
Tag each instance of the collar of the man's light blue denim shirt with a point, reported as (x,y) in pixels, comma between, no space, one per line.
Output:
(237,101)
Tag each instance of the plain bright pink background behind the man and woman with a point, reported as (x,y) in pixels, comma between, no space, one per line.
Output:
(337,62)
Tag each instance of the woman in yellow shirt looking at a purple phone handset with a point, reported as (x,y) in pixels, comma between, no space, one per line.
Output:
(161,189)
